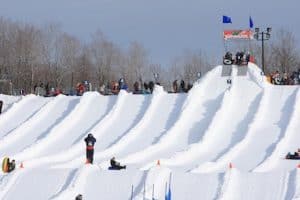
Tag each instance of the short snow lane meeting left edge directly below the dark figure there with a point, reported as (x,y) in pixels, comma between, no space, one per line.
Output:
(28,106)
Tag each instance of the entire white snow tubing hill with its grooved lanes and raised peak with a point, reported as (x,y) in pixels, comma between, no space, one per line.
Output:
(219,141)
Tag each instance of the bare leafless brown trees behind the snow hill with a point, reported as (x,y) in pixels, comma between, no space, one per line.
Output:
(30,55)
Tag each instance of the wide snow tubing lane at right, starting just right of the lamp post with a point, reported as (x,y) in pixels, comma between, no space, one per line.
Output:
(262,133)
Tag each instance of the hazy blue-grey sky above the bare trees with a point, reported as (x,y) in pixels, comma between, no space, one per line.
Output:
(164,27)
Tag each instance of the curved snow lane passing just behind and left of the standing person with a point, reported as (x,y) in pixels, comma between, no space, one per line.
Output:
(87,112)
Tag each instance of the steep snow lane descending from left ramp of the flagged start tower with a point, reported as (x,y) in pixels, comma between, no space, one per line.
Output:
(197,111)
